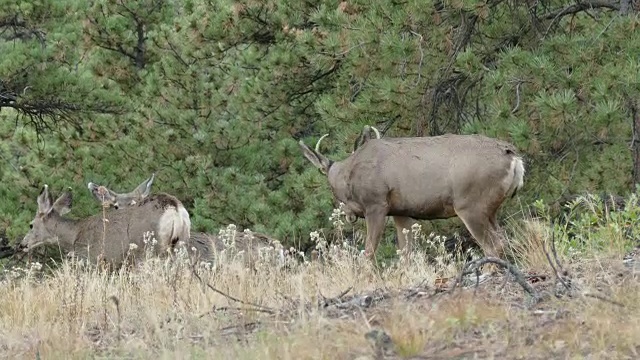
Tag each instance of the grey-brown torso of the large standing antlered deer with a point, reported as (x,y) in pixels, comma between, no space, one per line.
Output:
(421,174)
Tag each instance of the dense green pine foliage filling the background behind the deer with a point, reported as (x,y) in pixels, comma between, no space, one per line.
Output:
(213,96)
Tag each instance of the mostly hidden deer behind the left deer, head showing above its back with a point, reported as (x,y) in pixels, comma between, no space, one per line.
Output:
(206,245)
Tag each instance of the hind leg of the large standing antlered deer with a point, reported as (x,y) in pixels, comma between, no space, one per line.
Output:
(485,230)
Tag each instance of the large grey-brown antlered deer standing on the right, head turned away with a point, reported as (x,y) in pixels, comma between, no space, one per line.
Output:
(425,178)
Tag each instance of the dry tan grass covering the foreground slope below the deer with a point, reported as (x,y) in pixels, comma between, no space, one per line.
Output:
(161,310)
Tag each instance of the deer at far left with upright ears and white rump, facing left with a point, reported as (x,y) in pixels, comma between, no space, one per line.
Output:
(107,237)
